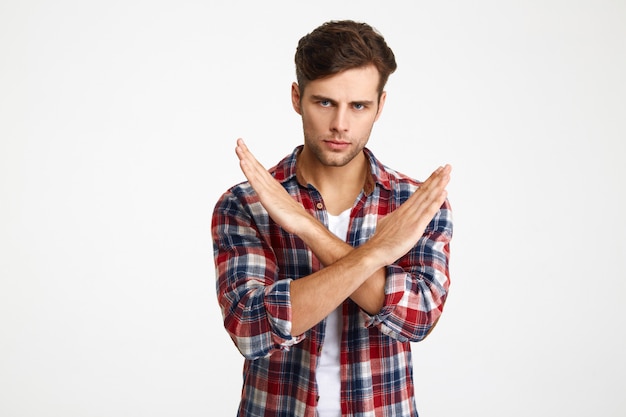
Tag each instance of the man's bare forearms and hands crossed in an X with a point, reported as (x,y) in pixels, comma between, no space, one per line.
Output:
(358,273)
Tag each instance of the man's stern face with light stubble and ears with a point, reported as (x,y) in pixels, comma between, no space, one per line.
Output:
(338,113)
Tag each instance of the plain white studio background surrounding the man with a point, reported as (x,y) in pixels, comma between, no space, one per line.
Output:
(117,129)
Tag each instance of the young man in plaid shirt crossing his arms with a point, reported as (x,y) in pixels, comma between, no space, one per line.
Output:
(330,264)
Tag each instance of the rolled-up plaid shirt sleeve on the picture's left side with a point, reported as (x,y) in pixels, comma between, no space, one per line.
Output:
(255,304)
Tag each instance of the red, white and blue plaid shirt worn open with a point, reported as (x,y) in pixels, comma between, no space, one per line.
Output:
(256,262)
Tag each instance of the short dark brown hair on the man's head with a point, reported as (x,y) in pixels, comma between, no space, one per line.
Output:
(336,46)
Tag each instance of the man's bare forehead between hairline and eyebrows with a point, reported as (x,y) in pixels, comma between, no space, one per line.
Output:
(349,85)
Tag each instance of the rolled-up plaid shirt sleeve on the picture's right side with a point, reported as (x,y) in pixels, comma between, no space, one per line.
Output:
(417,284)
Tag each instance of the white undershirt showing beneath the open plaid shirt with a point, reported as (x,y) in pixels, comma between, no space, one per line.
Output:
(328,368)
